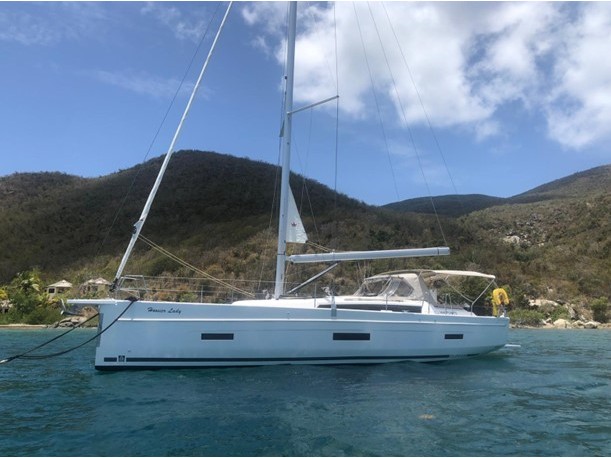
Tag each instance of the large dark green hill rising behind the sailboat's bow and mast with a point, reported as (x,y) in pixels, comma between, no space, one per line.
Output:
(211,209)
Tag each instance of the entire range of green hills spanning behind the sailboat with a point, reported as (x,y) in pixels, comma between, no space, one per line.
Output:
(216,212)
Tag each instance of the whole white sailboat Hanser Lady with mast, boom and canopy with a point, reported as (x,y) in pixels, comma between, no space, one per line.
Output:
(392,317)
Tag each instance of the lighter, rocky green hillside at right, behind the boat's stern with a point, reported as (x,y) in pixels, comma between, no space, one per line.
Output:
(553,241)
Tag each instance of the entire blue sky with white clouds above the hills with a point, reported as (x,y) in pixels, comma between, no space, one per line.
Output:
(490,98)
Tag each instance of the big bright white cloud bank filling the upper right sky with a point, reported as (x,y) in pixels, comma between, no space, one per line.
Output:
(468,61)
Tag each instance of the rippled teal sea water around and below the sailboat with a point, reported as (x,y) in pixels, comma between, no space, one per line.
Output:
(550,397)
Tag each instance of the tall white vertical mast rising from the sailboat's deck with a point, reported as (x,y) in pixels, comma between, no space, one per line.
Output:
(286,152)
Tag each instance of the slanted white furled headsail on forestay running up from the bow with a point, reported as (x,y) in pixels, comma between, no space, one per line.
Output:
(149,201)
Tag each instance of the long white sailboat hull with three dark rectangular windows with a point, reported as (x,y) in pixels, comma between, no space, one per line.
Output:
(179,335)
